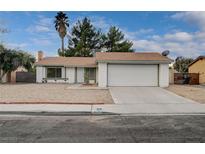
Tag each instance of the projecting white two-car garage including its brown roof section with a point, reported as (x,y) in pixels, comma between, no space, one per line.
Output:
(132,69)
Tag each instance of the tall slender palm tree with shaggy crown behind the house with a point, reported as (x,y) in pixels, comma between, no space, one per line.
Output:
(61,24)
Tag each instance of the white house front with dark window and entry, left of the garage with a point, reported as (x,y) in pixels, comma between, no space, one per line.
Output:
(73,75)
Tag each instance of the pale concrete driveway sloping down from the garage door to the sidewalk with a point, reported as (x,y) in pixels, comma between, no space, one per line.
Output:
(145,95)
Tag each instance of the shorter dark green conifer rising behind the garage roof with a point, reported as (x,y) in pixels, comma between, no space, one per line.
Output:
(114,41)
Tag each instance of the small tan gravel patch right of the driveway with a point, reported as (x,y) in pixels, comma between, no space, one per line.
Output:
(195,92)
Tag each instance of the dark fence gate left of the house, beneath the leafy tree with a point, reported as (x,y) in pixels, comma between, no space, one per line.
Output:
(25,77)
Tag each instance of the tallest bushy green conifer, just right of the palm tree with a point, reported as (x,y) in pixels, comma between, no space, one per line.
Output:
(85,40)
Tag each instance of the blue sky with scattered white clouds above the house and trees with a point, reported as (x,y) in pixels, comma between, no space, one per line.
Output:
(182,33)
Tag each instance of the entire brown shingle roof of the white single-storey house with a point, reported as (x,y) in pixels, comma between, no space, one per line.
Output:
(102,56)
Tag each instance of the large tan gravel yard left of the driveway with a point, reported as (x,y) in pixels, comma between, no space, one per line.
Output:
(52,93)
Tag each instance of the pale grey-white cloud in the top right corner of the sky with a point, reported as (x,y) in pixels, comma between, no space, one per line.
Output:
(194,17)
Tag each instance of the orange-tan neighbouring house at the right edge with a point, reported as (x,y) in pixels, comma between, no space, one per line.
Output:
(198,66)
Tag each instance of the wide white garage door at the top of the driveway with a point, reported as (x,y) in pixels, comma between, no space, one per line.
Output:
(132,75)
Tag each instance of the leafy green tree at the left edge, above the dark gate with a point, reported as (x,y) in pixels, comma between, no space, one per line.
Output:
(10,60)
